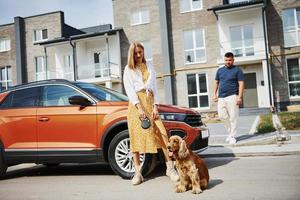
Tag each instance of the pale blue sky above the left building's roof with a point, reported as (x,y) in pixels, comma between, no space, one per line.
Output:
(78,13)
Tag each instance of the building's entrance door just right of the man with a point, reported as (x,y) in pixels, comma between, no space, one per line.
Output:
(250,93)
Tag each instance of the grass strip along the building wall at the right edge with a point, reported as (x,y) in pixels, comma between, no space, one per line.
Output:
(290,120)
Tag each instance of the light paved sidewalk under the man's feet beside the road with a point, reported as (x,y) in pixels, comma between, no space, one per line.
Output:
(249,144)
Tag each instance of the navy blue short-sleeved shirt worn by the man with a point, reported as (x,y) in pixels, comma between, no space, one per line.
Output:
(228,79)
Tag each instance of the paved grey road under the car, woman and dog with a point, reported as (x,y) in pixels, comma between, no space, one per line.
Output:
(259,178)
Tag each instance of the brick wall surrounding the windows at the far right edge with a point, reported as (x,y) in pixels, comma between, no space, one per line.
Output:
(279,52)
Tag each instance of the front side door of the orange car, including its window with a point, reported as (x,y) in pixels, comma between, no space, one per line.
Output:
(61,126)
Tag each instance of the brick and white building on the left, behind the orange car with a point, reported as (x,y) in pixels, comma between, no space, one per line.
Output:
(44,47)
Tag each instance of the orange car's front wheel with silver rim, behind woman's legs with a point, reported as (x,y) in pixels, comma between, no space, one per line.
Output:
(121,160)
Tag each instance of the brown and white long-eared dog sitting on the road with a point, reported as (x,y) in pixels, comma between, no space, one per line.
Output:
(192,170)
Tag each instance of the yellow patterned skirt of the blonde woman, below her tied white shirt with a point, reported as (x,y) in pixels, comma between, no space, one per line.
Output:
(145,140)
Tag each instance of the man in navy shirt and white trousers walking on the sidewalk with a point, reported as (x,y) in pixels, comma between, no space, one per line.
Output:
(230,83)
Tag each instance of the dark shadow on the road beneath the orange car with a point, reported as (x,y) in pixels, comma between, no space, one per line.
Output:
(60,170)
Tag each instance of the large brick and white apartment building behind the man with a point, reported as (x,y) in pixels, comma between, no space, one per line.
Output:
(198,33)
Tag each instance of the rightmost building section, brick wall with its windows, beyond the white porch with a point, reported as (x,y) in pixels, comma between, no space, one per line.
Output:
(283,22)
